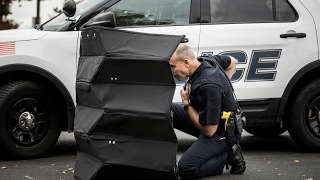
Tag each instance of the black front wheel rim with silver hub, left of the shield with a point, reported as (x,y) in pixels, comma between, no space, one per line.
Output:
(27,122)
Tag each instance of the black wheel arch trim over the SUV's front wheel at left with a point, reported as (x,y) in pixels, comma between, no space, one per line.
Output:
(16,72)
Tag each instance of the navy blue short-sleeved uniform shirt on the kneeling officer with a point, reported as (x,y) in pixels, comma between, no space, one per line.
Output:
(211,92)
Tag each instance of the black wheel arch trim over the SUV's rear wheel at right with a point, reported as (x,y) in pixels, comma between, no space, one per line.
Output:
(303,76)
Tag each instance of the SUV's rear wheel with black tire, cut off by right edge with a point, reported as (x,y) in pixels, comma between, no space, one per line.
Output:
(304,117)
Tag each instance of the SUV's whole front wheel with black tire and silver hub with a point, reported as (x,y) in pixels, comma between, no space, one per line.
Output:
(29,126)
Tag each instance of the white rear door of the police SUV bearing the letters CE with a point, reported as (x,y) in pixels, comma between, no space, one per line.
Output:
(262,37)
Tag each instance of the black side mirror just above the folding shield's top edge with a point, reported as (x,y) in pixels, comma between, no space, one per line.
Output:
(105,19)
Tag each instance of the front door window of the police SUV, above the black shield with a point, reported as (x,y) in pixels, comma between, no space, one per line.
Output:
(151,12)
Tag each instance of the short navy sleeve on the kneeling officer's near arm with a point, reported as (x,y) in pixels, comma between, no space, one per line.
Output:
(210,100)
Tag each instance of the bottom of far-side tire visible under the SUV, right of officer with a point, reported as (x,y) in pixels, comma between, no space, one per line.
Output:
(265,131)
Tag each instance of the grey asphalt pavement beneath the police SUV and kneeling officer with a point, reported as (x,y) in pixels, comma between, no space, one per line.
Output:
(277,158)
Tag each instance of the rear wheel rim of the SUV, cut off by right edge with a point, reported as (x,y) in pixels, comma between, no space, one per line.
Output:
(313,117)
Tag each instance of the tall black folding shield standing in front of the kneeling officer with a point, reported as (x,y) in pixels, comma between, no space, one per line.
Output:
(124,88)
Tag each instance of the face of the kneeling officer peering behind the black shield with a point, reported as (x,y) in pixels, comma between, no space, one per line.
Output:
(178,68)
